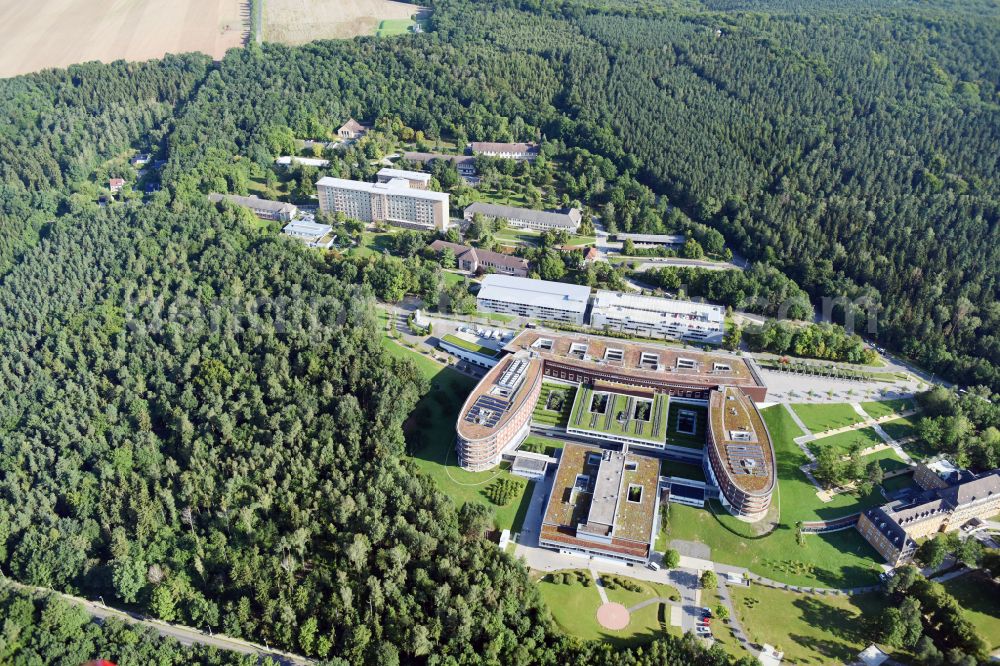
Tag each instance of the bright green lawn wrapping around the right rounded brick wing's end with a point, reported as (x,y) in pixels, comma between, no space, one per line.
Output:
(836,559)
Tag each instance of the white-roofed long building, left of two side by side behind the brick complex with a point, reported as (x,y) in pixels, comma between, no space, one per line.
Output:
(539,299)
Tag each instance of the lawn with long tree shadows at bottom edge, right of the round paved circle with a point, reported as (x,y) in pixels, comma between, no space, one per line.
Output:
(809,629)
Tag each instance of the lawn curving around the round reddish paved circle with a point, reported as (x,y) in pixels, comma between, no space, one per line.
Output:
(574,609)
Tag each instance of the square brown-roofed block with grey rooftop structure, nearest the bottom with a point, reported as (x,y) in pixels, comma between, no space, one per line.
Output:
(603,503)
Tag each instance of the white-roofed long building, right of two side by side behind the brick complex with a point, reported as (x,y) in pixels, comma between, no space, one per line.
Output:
(656,317)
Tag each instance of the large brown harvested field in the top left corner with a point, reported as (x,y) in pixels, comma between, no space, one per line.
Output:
(58,33)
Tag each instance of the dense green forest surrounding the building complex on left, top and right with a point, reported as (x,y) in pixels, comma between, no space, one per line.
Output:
(198,418)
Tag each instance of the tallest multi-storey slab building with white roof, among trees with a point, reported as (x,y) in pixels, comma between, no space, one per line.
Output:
(393,201)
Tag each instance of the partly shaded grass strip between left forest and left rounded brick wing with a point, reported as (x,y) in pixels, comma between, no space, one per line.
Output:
(436,456)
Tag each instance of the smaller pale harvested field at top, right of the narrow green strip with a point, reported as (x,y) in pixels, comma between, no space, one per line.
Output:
(301,21)
